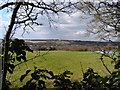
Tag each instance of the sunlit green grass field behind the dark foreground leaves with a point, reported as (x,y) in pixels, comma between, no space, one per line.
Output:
(59,61)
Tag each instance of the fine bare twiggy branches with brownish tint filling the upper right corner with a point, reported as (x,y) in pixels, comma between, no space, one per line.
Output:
(106,18)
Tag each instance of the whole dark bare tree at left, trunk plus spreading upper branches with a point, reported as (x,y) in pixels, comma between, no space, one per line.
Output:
(24,16)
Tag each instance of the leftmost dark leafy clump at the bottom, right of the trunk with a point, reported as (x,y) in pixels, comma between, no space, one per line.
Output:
(37,79)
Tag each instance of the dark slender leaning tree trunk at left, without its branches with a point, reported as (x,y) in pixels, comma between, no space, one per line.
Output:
(6,45)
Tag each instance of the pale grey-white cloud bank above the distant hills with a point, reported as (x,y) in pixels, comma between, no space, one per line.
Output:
(65,27)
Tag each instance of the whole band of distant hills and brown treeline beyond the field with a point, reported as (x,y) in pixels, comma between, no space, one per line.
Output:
(71,45)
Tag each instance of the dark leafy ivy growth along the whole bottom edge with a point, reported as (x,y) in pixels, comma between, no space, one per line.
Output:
(91,80)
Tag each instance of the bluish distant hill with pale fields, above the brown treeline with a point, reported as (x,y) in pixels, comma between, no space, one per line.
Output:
(69,43)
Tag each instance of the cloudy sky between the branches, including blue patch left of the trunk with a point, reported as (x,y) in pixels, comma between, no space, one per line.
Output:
(65,27)
